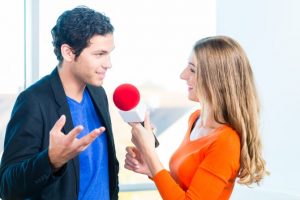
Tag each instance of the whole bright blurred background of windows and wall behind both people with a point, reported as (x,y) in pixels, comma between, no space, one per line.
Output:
(153,41)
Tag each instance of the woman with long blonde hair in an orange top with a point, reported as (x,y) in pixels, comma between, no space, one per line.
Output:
(222,142)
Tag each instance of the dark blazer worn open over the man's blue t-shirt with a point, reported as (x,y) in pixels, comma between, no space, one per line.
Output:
(25,171)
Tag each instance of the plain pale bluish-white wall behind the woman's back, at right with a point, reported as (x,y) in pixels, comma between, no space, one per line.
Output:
(269,31)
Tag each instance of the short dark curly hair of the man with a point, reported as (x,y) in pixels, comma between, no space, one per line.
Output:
(76,27)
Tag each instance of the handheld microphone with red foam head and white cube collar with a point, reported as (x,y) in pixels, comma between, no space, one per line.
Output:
(126,97)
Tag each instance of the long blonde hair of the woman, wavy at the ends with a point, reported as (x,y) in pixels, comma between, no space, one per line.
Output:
(225,82)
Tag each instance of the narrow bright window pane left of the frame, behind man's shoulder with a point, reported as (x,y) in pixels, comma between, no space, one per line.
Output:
(12,68)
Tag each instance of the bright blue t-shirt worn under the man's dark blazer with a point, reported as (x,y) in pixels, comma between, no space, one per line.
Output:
(94,177)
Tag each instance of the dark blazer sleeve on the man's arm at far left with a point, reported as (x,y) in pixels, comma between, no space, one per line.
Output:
(25,166)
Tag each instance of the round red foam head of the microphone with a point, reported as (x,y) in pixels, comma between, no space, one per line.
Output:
(126,97)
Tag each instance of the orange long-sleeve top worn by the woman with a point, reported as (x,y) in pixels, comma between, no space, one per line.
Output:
(205,168)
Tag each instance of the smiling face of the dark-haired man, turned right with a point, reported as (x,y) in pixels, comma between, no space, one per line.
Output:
(91,65)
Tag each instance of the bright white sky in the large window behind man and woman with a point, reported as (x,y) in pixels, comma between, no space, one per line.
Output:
(153,38)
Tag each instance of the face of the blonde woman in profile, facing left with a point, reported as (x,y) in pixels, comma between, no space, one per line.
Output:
(189,75)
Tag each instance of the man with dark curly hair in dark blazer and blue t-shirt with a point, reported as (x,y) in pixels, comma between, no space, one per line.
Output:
(59,142)
